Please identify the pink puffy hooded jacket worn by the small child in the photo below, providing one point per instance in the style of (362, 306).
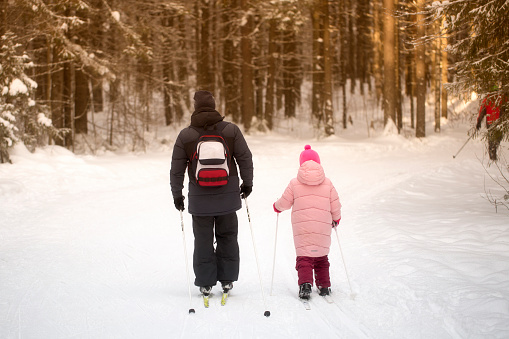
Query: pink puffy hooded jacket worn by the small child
(315, 204)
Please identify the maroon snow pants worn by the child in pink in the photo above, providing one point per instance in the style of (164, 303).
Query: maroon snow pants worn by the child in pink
(305, 267)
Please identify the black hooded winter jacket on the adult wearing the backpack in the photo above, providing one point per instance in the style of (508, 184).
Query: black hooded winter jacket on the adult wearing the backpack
(211, 201)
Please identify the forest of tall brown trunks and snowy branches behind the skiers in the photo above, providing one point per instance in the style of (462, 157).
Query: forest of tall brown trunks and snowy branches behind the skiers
(138, 63)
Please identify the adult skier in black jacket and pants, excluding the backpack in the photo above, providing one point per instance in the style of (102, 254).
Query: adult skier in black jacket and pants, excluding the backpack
(213, 207)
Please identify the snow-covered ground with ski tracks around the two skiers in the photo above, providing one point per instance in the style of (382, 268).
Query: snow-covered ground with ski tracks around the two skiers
(92, 247)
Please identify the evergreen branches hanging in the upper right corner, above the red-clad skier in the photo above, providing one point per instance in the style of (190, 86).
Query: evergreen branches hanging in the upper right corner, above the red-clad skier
(479, 31)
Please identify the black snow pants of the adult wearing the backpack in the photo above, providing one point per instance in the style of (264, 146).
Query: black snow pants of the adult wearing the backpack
(222, 262)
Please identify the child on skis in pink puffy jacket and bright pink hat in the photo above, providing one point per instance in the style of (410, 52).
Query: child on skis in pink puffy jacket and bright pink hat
(316, 207)
